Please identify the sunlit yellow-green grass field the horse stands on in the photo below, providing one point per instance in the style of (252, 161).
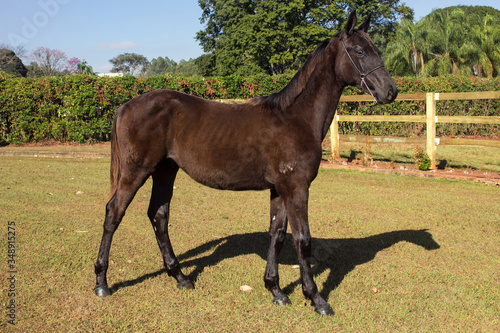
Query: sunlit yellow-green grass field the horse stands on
(391, 254)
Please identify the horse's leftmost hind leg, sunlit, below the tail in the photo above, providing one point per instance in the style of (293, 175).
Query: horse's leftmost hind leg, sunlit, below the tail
(126, 189)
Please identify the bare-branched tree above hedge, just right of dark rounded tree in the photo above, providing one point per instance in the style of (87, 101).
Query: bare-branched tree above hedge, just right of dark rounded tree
(47, 62)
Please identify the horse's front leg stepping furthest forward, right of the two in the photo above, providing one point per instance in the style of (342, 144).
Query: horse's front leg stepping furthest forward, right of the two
(296, 205)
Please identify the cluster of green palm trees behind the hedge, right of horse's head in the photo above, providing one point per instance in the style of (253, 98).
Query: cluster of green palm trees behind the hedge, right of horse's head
(461, 40)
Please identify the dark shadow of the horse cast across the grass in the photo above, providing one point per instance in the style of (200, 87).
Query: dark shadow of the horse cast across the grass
(340, 256)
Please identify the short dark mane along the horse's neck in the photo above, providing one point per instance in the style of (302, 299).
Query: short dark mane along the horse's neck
(283, 99)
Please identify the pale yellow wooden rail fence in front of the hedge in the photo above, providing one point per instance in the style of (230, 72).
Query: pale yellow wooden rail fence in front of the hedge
(430, 119)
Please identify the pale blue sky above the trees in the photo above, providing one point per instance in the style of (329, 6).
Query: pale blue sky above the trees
(99, 30)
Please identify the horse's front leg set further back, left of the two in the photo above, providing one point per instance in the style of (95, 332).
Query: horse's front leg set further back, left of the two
(277, 233)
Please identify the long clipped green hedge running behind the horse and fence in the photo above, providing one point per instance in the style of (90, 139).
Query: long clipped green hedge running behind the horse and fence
(80, 108)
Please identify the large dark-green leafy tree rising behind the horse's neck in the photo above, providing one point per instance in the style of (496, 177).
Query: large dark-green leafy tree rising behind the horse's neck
(273, 37)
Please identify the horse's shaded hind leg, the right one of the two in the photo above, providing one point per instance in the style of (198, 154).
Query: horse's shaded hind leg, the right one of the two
(158, 212)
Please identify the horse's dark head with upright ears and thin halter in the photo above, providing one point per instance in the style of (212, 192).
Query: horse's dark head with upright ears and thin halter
(359, 64)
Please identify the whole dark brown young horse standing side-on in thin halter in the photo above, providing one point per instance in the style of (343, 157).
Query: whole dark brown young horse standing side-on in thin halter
(270, 143)
